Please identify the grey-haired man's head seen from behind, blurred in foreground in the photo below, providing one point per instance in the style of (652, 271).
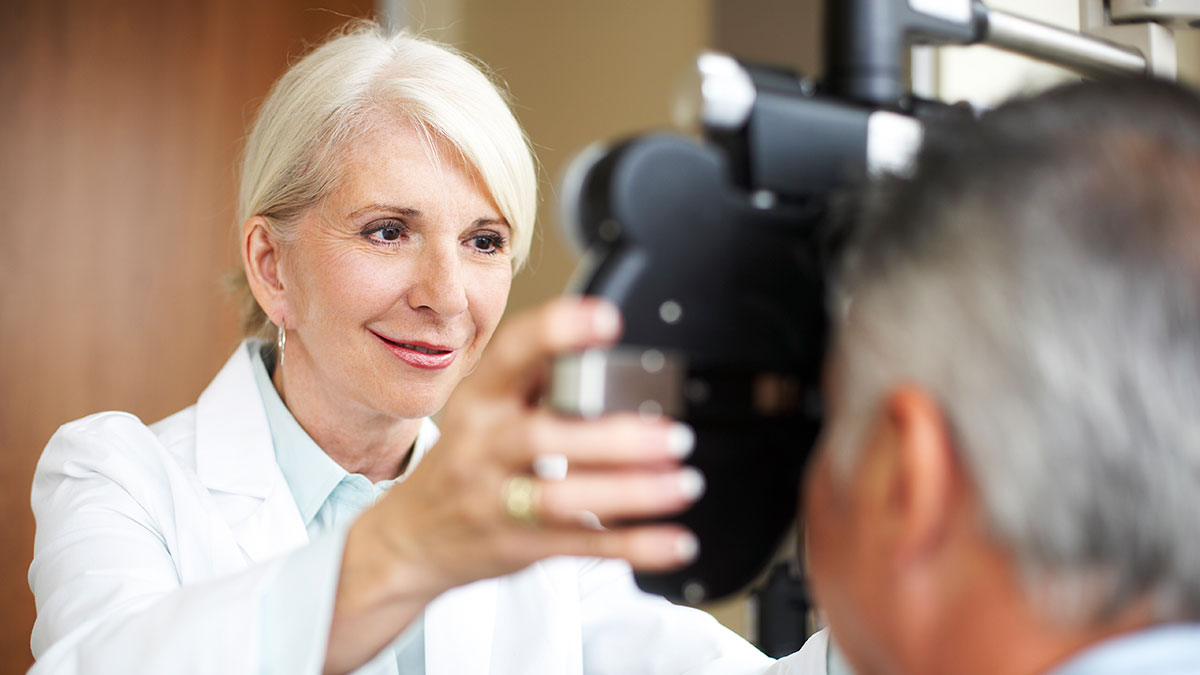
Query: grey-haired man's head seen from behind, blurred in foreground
(1015, 390)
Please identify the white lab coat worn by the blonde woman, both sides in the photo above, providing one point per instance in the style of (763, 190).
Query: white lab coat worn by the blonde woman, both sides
(155, 543)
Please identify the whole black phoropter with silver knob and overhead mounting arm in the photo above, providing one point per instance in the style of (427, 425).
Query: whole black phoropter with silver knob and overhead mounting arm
(713, 252)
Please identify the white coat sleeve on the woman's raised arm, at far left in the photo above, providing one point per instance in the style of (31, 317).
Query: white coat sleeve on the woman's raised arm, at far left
(109, 563)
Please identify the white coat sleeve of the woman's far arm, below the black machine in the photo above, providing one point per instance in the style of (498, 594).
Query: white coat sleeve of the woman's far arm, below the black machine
(627, 631)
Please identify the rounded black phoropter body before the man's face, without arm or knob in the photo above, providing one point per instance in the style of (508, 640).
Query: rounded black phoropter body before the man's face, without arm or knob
(745, 322)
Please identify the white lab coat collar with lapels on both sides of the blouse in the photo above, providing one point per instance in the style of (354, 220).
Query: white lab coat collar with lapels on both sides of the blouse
(236, 461)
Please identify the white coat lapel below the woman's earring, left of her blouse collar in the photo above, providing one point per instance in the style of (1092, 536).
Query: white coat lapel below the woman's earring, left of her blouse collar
(236, 461)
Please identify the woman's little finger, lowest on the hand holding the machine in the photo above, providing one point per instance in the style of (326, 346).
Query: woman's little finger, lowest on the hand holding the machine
(650, 548)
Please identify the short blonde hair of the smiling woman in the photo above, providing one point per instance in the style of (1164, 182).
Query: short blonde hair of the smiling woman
(333, 97)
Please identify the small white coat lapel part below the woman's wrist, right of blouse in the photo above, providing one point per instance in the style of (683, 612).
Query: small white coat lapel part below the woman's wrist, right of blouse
(459, 630)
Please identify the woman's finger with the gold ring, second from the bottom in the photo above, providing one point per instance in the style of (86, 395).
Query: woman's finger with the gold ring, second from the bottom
(619, 495)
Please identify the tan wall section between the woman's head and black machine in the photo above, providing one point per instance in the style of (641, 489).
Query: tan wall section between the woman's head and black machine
(581, 73)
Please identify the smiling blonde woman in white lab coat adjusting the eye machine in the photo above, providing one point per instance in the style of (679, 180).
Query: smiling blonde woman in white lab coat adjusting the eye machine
(388, 195)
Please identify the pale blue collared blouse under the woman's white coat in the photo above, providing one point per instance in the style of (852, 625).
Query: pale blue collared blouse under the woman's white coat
(329, 500)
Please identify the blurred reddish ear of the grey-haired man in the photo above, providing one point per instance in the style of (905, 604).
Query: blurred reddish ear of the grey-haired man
(926, 482)
